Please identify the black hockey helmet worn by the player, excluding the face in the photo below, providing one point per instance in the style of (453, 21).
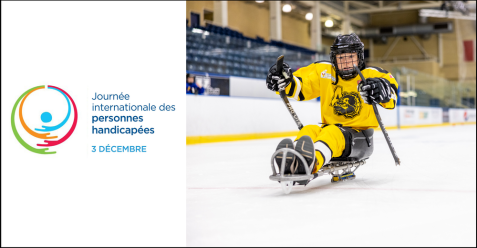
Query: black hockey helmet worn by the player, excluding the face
(348, 43)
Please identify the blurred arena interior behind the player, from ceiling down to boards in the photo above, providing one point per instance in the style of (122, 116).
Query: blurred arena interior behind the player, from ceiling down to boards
(429, 46)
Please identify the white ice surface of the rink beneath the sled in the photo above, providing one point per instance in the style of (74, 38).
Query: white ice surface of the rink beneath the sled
(430, 200)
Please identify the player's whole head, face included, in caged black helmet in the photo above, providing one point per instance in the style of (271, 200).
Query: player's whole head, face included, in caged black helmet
(350, 51)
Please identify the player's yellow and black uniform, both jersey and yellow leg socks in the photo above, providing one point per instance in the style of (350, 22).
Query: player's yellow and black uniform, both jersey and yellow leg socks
(341, 103)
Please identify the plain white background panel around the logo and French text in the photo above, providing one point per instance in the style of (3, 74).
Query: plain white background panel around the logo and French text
(75, 197)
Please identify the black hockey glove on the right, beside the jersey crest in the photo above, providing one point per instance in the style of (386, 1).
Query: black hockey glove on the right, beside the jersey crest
(375, 90)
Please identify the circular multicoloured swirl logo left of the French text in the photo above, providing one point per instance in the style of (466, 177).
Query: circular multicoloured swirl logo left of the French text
(45, 131)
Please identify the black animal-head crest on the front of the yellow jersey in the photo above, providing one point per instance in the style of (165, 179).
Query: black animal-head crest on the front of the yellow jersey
(347, 104)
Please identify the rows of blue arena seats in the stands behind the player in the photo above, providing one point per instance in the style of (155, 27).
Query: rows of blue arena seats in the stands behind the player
(224, 51)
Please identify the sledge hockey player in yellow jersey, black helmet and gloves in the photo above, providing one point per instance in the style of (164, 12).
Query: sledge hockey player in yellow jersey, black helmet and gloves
(346, 109)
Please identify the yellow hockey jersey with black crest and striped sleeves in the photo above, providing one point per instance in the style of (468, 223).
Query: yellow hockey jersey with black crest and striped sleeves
(340, 100)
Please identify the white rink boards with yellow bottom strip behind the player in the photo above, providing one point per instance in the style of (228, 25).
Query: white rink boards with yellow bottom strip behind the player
(224, 118)
